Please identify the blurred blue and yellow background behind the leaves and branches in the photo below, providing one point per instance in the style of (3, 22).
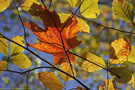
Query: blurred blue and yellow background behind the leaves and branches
(10, 26)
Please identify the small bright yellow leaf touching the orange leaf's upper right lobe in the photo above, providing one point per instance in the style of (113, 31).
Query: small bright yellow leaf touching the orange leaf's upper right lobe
(84, 26)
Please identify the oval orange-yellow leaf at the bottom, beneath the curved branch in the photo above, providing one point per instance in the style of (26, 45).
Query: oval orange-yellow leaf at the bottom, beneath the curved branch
(50, 80)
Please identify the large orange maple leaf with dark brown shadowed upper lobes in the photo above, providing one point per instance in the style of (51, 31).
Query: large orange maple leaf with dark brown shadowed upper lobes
(50, 37)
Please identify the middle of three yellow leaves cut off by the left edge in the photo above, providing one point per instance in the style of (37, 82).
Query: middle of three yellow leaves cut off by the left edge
(4, 46)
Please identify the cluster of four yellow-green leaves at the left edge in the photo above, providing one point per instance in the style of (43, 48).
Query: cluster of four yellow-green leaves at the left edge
(19, 59)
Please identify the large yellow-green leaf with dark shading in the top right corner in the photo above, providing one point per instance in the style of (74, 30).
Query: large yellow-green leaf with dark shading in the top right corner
(123, 9)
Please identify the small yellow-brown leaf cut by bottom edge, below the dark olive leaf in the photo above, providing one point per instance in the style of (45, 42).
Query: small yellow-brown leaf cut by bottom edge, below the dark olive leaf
(110, 84)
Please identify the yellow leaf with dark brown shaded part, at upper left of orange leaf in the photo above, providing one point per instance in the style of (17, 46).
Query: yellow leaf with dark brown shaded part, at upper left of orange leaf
(33, 7)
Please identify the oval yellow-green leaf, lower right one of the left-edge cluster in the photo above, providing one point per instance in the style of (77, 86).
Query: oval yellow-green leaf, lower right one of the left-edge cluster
(21, 60)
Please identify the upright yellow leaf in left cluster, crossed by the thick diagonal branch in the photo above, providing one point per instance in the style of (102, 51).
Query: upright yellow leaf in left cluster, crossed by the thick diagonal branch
(16, 49)
